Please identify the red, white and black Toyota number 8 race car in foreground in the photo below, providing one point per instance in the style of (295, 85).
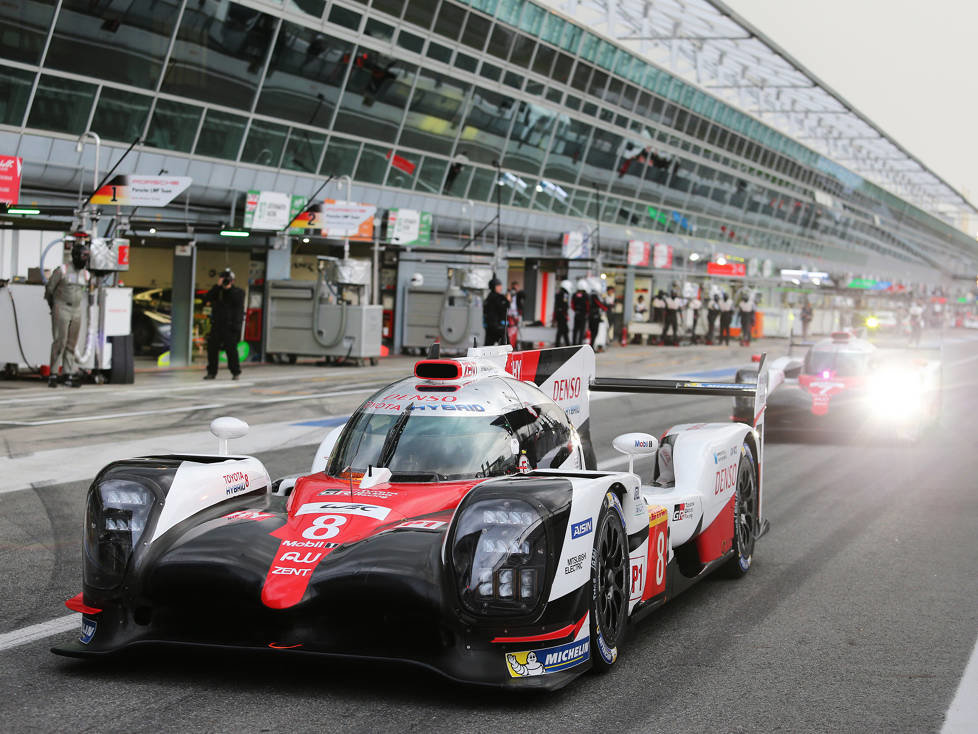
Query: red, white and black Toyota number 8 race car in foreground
(456, 521)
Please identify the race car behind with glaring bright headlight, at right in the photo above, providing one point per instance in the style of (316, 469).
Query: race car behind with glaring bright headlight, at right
(848, 385)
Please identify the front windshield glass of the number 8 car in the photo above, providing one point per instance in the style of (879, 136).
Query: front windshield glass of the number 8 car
(427, 448)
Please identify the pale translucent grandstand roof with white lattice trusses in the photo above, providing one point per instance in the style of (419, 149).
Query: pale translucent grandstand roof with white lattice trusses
(707, 43)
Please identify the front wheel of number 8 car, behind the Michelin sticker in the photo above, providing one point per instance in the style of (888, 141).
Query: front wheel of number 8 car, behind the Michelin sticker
(609, 585)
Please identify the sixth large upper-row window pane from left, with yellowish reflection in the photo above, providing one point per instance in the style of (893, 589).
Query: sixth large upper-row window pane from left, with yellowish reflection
(435, 111)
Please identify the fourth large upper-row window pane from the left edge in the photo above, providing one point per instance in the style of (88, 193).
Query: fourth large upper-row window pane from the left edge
(304, 76)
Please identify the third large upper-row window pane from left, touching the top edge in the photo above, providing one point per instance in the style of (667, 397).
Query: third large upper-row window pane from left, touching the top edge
(219, 62)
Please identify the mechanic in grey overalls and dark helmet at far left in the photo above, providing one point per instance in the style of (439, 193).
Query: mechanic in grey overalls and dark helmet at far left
(66, 292)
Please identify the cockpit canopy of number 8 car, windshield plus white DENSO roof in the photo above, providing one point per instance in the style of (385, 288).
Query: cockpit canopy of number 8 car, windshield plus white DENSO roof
(432, 433)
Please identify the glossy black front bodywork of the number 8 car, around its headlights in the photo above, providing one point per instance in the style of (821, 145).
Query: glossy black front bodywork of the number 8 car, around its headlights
(388, 596)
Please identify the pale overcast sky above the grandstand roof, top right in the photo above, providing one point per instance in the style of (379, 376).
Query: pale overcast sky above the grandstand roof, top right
(909, 66)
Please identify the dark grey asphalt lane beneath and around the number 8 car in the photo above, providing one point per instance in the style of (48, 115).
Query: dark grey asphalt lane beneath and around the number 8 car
(859, 614)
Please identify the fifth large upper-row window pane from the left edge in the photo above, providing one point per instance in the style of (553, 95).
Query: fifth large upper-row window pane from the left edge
(375, 97)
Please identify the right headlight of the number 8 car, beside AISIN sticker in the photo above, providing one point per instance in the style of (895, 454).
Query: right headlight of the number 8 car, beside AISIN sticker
(500, 556)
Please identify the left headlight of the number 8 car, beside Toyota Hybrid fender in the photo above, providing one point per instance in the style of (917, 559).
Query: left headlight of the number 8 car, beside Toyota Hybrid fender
(115, 520)
